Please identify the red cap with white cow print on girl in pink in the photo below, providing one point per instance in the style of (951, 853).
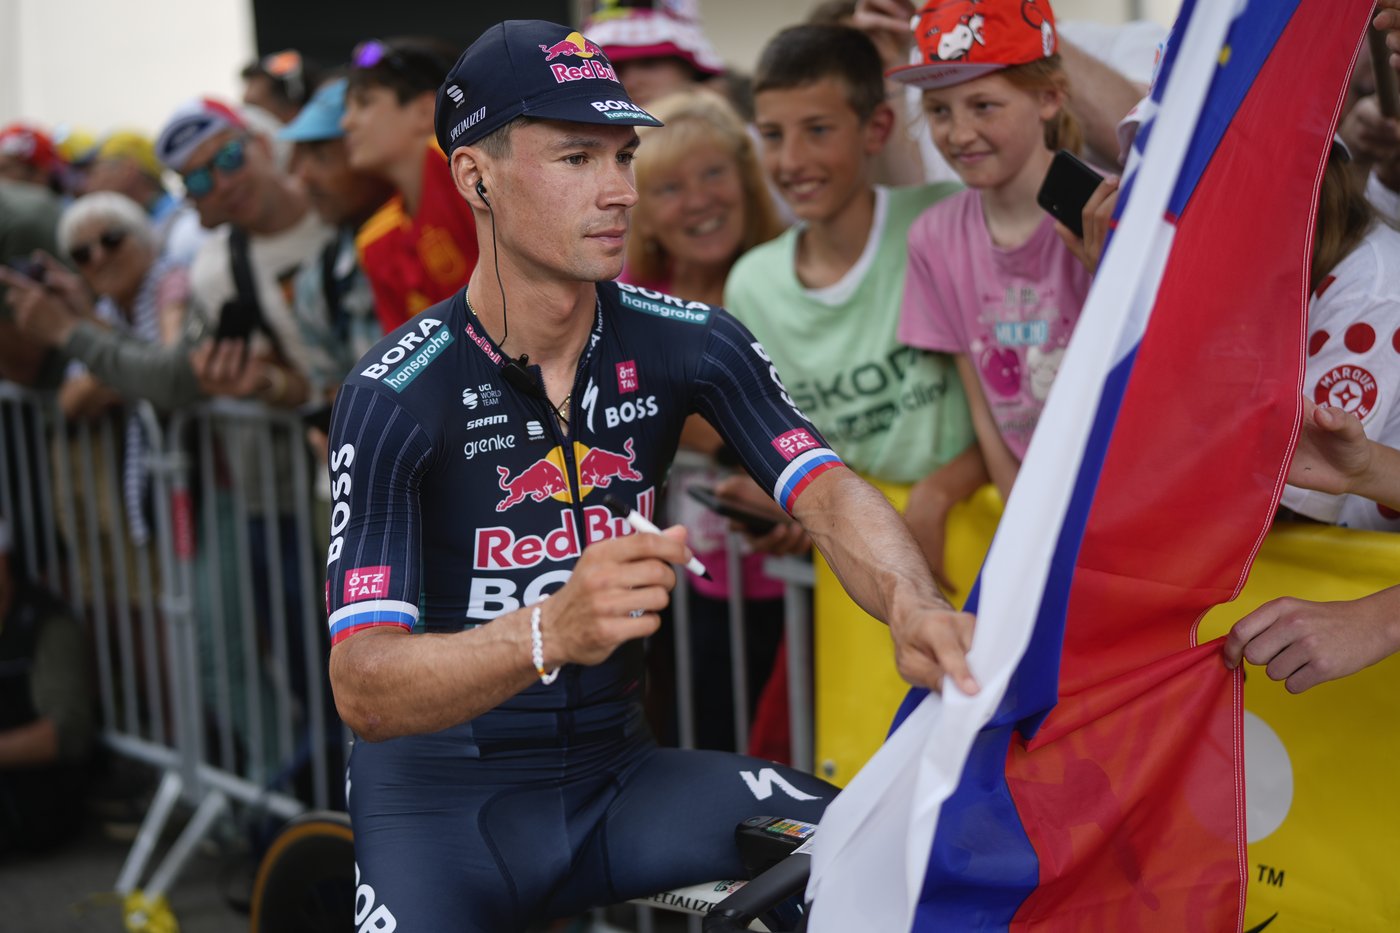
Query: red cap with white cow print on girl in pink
(961, 40)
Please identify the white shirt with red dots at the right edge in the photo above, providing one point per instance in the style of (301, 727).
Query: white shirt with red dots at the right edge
(1354, 365)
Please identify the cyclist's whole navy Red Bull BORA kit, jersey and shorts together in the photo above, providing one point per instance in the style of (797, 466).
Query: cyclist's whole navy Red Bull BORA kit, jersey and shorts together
(458, 498)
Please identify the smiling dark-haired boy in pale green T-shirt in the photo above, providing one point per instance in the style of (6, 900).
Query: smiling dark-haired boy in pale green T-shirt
(824, 299)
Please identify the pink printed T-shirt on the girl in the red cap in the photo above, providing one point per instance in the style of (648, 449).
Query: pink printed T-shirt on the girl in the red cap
(1011, 312)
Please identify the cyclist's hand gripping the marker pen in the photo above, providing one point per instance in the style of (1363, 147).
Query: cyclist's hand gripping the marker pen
(615, 595)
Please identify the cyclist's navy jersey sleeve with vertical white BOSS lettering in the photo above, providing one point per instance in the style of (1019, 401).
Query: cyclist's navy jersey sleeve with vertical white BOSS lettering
(379, 453)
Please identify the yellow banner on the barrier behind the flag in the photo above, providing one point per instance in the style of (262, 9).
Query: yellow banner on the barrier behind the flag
(1324, 767)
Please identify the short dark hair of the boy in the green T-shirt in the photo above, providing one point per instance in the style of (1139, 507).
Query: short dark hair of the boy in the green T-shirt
(807, 54)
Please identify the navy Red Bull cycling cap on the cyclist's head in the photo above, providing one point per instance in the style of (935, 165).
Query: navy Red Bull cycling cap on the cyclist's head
(530, 68)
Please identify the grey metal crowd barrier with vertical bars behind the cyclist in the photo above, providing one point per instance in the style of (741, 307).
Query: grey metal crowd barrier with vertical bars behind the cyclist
(206, 617)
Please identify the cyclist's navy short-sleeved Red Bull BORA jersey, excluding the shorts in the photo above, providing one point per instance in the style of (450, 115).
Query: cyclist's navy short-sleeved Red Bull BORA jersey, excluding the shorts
(458, 498)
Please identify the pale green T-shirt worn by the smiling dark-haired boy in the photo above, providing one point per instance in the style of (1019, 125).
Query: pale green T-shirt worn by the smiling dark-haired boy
(892, 413)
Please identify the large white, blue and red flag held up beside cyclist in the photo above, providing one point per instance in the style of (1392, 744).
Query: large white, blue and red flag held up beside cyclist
(1097, 782)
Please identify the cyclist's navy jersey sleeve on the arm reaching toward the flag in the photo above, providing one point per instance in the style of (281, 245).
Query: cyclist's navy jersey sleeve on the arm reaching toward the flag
(741, 394)
